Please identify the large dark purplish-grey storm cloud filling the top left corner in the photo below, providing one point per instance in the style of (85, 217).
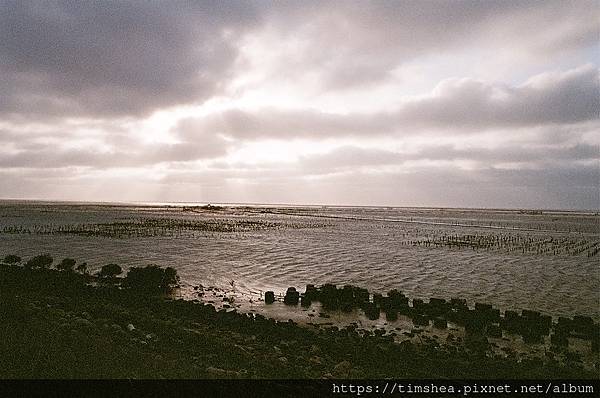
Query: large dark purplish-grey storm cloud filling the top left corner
(115, 58)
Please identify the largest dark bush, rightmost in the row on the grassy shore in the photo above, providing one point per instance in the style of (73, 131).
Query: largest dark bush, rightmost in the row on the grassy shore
(151, 279)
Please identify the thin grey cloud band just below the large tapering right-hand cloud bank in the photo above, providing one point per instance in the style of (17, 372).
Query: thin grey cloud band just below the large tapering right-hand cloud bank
(349, 159)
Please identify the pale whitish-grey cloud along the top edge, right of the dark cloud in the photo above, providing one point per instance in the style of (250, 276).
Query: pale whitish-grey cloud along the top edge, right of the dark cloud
(362, 42)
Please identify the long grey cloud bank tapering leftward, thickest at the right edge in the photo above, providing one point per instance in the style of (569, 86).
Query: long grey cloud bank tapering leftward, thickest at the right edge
(460, 104)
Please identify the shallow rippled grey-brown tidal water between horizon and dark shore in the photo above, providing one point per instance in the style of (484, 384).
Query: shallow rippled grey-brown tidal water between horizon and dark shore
(514, 260)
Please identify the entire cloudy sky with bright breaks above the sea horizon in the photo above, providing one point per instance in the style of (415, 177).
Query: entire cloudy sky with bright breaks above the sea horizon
(488, 104)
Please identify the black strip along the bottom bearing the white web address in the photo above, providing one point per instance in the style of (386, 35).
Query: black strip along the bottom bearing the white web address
(296, 388)
